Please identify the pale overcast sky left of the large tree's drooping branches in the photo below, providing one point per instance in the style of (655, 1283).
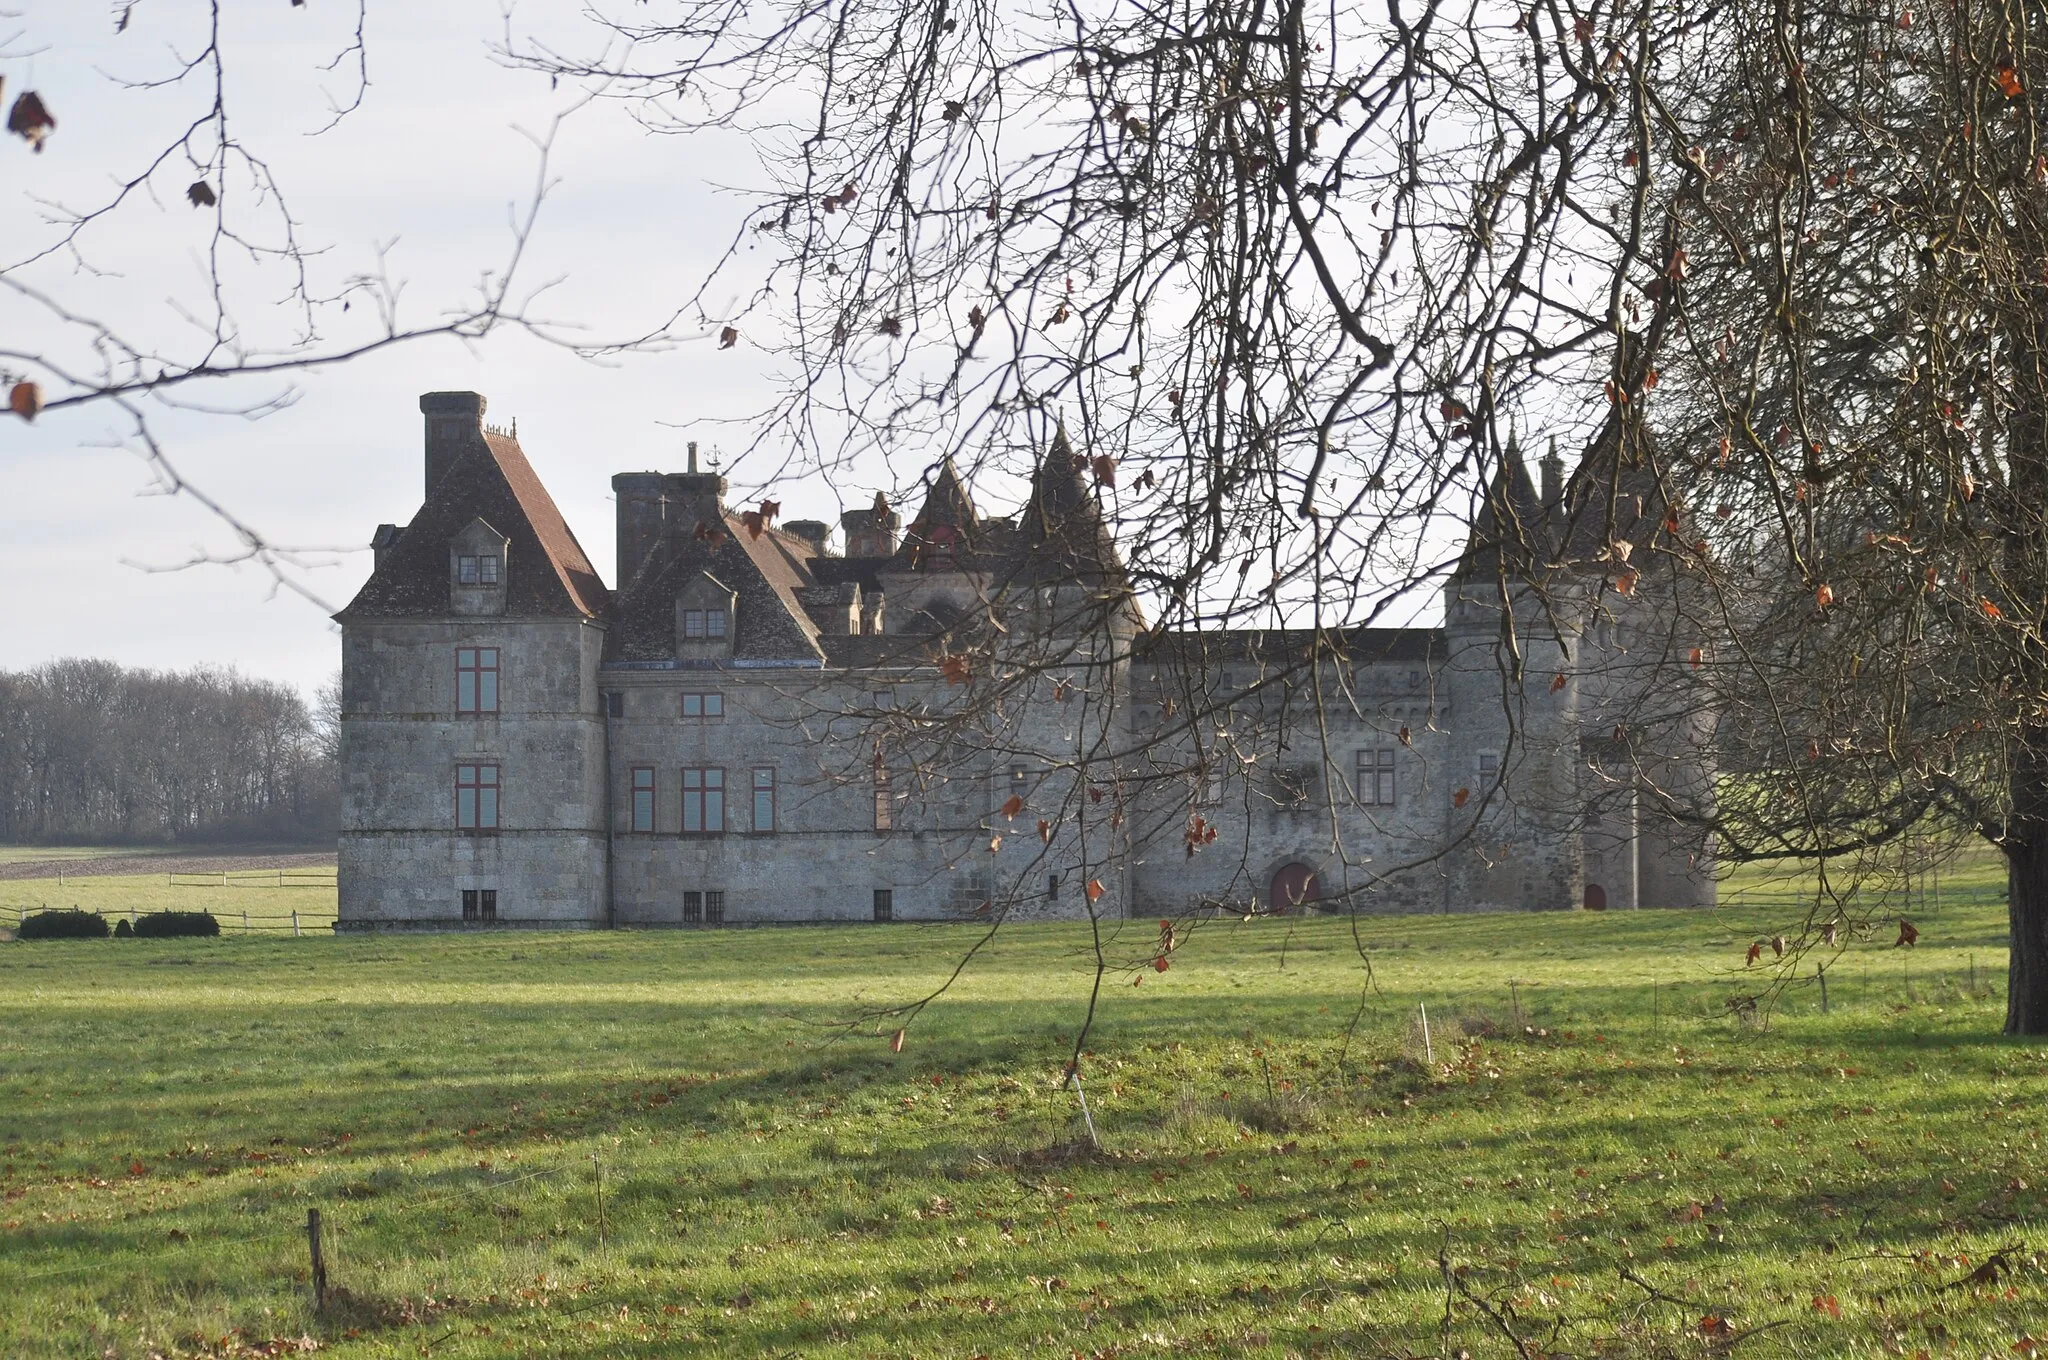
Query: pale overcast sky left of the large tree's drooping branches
(431, 167)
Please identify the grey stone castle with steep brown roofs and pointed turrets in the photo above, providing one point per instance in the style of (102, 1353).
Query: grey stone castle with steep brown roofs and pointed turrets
(968, 716)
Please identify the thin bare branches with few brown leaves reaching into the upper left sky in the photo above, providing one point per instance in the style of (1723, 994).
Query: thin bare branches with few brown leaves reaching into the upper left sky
(267, 304)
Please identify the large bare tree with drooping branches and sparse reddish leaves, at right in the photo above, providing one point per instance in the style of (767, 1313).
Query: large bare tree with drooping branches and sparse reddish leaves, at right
(1291, 278)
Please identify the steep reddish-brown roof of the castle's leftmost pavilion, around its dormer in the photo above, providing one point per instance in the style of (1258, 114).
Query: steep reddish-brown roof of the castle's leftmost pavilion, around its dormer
(548, 572)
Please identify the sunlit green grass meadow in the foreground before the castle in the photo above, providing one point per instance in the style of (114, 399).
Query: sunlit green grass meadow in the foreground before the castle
(1605, 1173)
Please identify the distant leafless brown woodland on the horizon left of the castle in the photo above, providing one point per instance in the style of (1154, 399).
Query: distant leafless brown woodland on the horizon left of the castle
(97, 753)
